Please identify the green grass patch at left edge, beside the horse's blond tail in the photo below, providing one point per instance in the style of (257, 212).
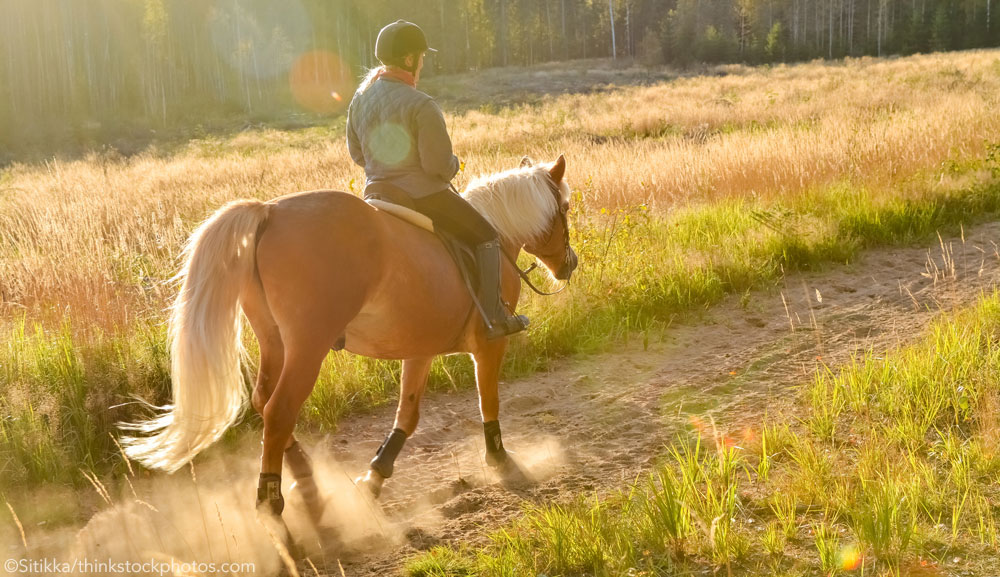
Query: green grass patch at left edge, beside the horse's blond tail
(63, 396)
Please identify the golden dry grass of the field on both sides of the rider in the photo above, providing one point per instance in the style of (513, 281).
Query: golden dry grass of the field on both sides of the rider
(97, 237)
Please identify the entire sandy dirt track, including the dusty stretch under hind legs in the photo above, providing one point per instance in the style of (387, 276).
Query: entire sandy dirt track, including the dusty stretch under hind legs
(590, 424)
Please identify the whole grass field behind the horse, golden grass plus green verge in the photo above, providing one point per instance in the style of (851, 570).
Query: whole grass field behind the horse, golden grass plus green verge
(683, 191)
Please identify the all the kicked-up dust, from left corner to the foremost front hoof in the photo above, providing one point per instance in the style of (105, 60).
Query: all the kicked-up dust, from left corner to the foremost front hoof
(204, 518)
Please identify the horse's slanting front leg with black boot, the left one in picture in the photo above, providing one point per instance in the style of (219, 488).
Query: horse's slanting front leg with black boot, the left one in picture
(411, 390)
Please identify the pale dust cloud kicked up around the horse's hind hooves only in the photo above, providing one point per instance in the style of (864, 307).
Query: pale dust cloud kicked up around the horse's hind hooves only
(205, 518)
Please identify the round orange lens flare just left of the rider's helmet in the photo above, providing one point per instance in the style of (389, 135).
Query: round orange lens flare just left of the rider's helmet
(317, 79)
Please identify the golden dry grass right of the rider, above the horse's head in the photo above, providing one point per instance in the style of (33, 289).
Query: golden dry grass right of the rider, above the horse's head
(759, 132)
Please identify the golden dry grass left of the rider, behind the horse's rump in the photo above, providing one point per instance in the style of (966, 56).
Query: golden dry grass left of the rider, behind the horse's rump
(98, 238)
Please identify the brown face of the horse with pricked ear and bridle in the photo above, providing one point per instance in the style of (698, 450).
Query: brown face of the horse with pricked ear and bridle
(553, 248)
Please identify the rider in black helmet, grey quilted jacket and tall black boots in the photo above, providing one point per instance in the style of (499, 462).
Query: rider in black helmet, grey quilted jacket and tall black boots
(398, 135)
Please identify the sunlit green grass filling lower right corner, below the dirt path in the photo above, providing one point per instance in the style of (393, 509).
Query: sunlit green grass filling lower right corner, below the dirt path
(879, 495)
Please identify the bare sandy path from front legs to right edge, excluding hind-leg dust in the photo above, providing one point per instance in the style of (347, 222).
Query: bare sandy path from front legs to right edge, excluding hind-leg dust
(595, 423)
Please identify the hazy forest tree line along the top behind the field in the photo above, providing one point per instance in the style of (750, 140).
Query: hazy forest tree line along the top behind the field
(75, 67)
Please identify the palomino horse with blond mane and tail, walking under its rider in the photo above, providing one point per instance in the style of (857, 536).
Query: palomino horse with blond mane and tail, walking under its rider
(319, 270)
